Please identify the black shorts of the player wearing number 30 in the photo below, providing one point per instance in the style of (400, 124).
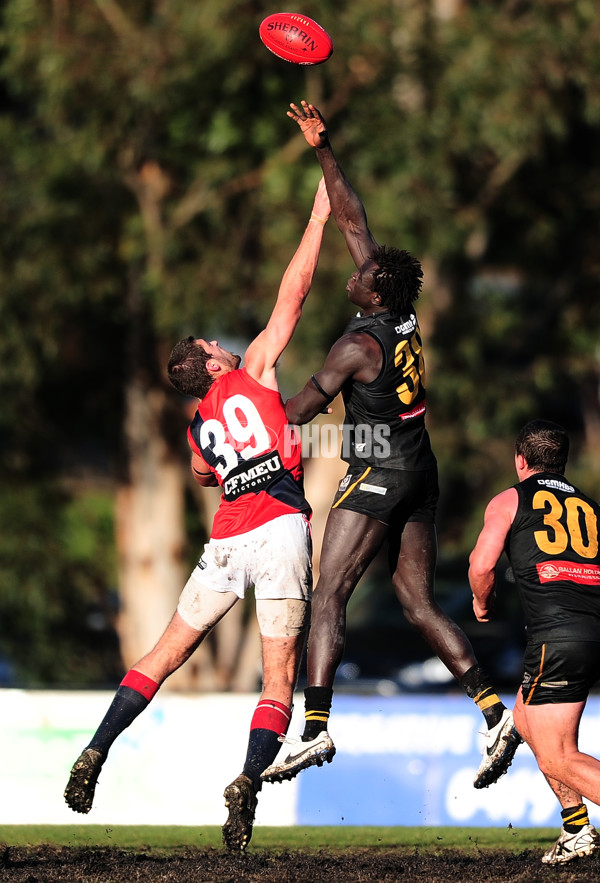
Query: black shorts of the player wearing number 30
(559, 671)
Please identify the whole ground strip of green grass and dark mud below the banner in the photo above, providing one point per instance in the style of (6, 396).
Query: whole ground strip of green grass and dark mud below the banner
(152, 854)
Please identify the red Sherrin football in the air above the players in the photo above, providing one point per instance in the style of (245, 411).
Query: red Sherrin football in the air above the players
(295, 38)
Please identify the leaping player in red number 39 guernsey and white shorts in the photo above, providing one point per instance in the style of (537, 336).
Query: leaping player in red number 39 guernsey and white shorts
(240, 440)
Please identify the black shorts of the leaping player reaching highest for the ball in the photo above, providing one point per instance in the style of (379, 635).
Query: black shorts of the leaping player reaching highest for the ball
(392, 496)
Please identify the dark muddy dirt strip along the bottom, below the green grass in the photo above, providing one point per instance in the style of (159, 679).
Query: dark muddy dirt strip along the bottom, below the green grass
(45, 864)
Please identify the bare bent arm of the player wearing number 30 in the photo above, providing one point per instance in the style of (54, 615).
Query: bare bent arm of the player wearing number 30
(498, 518)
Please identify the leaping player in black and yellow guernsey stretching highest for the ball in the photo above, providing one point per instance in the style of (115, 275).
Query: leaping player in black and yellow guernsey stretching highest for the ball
(390, 491)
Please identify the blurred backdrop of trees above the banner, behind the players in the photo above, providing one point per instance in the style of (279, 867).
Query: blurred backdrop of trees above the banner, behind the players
(154, 187)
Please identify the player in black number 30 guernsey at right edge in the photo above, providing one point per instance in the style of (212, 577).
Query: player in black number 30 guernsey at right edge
(549, 531)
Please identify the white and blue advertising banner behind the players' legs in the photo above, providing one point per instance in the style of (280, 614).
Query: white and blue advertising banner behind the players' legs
(401, 760)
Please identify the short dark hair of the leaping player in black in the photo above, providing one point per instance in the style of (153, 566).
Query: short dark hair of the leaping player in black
(397, 279)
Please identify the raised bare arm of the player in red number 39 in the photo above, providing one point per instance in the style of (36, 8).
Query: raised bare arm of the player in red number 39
(264, 351)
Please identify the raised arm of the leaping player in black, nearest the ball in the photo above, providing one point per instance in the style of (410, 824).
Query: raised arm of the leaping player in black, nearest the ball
(346, 207)
